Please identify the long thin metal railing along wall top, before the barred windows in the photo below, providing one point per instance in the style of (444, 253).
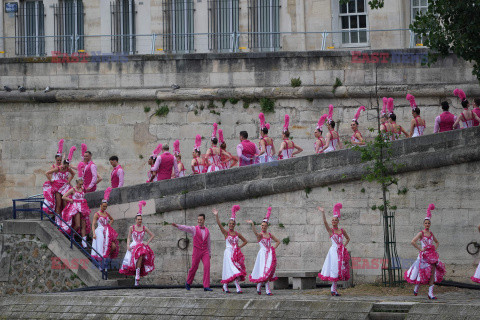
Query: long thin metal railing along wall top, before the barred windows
(160, 43)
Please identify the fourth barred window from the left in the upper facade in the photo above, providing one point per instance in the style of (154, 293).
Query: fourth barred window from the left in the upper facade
(178, 26)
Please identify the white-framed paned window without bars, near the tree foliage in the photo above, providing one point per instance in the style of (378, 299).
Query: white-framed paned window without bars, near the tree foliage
(353, 19)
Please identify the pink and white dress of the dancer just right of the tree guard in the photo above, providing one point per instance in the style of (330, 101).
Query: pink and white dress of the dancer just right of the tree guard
(421, 270)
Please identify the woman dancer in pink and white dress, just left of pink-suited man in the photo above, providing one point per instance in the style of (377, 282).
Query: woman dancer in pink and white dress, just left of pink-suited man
(139, 259)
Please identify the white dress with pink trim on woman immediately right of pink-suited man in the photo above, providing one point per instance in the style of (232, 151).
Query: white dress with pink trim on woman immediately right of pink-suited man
(233, 261)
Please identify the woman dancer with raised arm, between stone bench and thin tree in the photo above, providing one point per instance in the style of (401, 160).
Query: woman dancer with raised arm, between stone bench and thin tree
(336, 266)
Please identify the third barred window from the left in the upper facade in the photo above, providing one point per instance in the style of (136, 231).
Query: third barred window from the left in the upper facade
(123, 26)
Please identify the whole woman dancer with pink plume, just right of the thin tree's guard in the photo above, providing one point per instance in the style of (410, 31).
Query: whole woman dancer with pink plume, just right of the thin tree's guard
(428, 269)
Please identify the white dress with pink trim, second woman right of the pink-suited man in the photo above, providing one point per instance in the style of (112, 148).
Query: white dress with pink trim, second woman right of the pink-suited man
(266, 262)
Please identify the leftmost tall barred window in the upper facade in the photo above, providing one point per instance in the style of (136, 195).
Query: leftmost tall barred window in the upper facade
(30, 29)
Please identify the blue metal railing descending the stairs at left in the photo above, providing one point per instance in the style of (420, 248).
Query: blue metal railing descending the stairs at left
(101, 264)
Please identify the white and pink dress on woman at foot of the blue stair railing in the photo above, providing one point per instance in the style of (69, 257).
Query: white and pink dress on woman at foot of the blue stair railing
(105, 236)
